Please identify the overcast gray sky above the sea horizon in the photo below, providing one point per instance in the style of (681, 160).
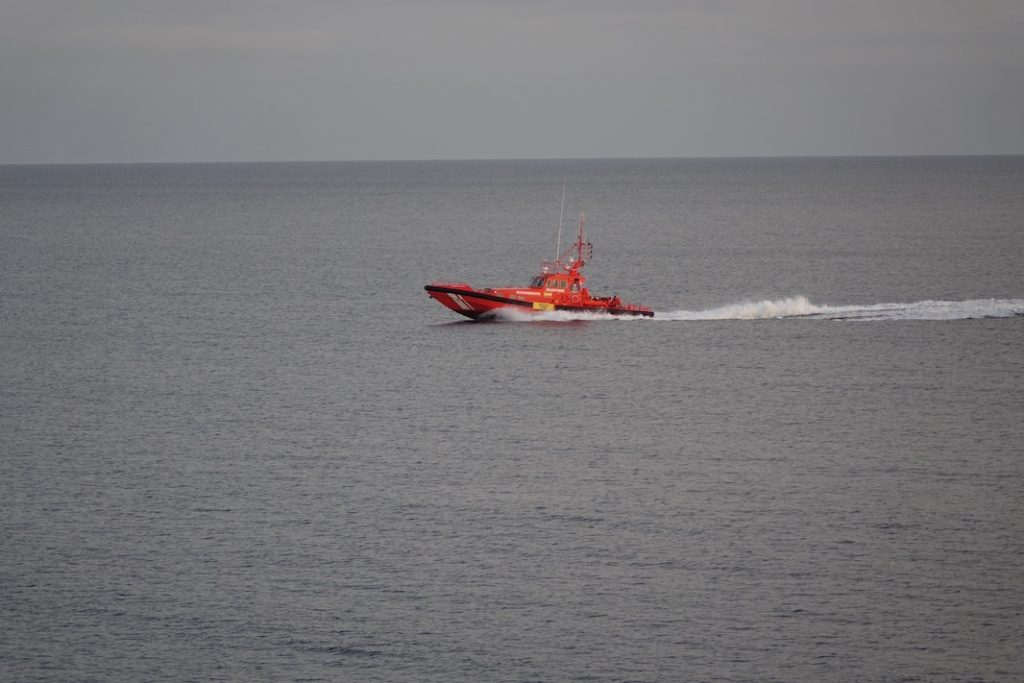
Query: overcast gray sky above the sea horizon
(209, 80)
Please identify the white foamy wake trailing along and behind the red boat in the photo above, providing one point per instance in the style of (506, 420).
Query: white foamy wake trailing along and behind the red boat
(801, 308)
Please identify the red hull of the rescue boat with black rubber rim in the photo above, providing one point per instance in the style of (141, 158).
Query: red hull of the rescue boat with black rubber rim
(475, 304)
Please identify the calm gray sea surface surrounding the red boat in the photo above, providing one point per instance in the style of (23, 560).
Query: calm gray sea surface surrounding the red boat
(239, 443)
